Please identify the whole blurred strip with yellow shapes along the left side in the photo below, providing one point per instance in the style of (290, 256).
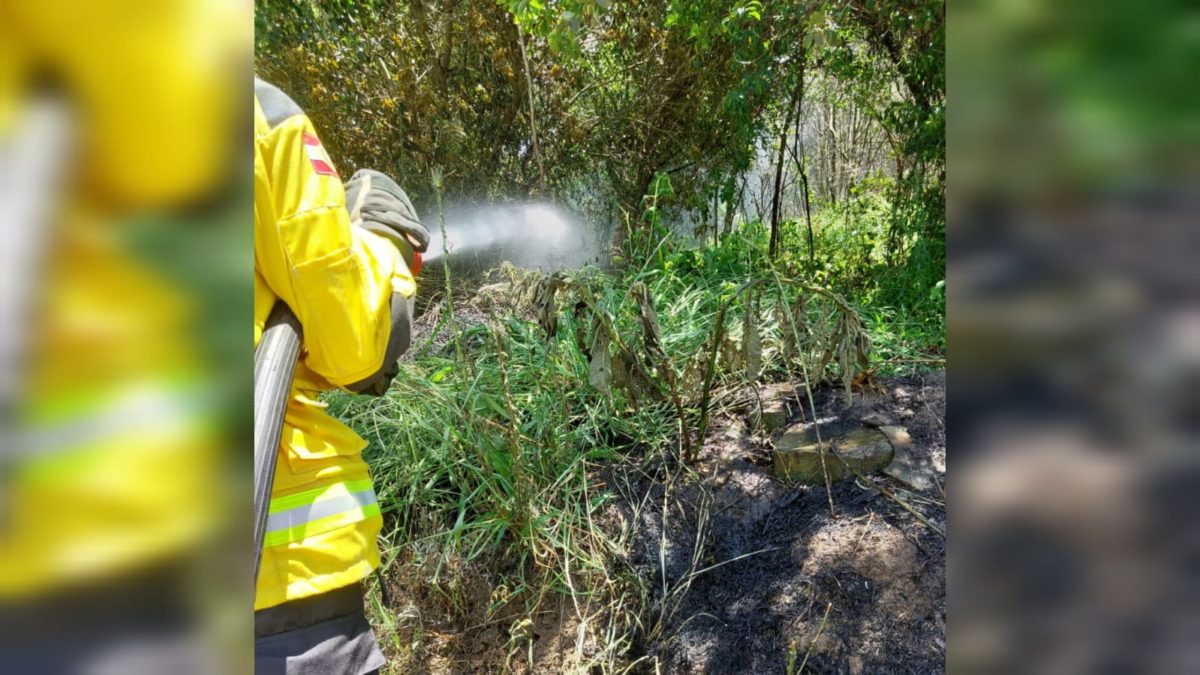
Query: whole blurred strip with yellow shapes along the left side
(125, 206)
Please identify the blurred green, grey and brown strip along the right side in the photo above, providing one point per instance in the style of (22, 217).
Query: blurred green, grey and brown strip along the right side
(1075, 337)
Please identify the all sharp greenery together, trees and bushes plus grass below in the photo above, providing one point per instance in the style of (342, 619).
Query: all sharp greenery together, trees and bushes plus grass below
(772, 180)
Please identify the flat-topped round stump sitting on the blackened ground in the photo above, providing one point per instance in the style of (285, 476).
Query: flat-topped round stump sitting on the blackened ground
(799, 456)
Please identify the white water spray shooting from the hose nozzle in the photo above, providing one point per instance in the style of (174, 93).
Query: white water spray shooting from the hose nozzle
(535, 236)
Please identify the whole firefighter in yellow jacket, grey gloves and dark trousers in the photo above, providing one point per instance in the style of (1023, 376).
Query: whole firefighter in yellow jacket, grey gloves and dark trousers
(347, 273)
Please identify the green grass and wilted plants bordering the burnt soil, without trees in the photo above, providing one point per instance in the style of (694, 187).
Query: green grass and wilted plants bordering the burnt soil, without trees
(488, 456)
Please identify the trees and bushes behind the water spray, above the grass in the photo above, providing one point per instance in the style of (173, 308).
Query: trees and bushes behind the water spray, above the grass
(589, 103)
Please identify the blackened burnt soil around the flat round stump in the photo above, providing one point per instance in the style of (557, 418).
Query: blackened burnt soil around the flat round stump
(745, 568)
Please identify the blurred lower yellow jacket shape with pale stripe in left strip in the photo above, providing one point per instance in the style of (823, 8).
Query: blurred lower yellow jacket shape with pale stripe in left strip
(106, 449)
